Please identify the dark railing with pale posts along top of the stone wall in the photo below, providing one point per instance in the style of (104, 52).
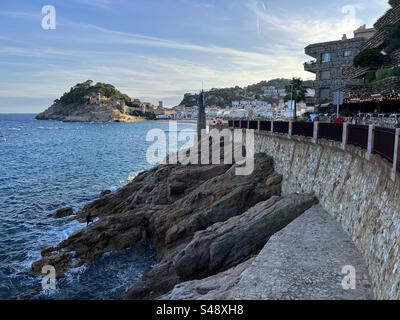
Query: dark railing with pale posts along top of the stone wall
(376, 140)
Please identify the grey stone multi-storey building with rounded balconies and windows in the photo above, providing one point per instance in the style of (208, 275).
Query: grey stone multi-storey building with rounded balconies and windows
(331, 60)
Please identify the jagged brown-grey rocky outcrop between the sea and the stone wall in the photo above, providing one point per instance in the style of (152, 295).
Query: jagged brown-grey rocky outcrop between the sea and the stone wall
(202, 220)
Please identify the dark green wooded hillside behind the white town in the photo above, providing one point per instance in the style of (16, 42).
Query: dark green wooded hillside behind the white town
(224, 97)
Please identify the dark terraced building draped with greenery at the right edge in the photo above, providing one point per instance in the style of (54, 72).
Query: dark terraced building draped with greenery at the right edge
(382, 81)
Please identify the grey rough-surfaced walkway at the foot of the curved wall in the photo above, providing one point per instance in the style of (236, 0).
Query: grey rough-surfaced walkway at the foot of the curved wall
(305, 261)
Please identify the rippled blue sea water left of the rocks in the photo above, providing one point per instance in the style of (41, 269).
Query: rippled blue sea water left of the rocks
(46, 165)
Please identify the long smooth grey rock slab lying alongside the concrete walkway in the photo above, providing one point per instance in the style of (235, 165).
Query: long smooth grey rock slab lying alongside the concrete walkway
(227, 244)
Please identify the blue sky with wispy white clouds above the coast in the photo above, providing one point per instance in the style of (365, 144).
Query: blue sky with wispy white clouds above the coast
(160, 49)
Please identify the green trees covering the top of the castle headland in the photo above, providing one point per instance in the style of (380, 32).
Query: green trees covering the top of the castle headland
(79, 93)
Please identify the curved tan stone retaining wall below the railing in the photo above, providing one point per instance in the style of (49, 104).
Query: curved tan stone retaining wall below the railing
(356, 192)
